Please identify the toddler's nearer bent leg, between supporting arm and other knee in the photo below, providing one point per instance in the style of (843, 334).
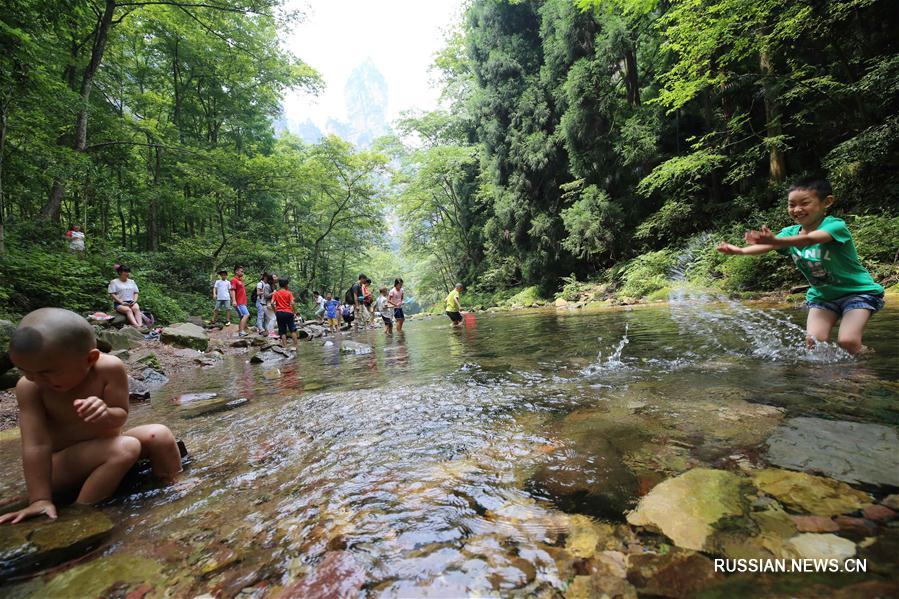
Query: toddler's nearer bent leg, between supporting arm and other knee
(99, 463)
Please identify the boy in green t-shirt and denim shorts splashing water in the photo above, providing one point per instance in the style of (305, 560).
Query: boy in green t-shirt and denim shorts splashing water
(822, 248)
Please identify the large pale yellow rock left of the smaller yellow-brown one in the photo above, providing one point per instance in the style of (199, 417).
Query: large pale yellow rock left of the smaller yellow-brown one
(687, 507)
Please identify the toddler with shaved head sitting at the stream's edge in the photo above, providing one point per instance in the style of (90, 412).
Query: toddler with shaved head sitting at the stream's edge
(73, 404)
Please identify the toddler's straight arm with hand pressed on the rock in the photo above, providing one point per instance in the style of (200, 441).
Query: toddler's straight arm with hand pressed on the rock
(37, 455)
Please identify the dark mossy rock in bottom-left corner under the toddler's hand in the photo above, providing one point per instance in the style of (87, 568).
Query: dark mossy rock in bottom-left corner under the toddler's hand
(40, 543)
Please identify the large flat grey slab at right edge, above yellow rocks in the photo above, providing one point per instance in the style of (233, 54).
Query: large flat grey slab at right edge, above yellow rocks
(852, 452)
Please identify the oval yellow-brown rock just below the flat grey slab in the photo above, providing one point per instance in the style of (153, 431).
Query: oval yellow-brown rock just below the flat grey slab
(810, 494)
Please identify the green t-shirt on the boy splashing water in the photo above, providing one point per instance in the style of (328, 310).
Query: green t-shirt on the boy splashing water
(832, 269)
